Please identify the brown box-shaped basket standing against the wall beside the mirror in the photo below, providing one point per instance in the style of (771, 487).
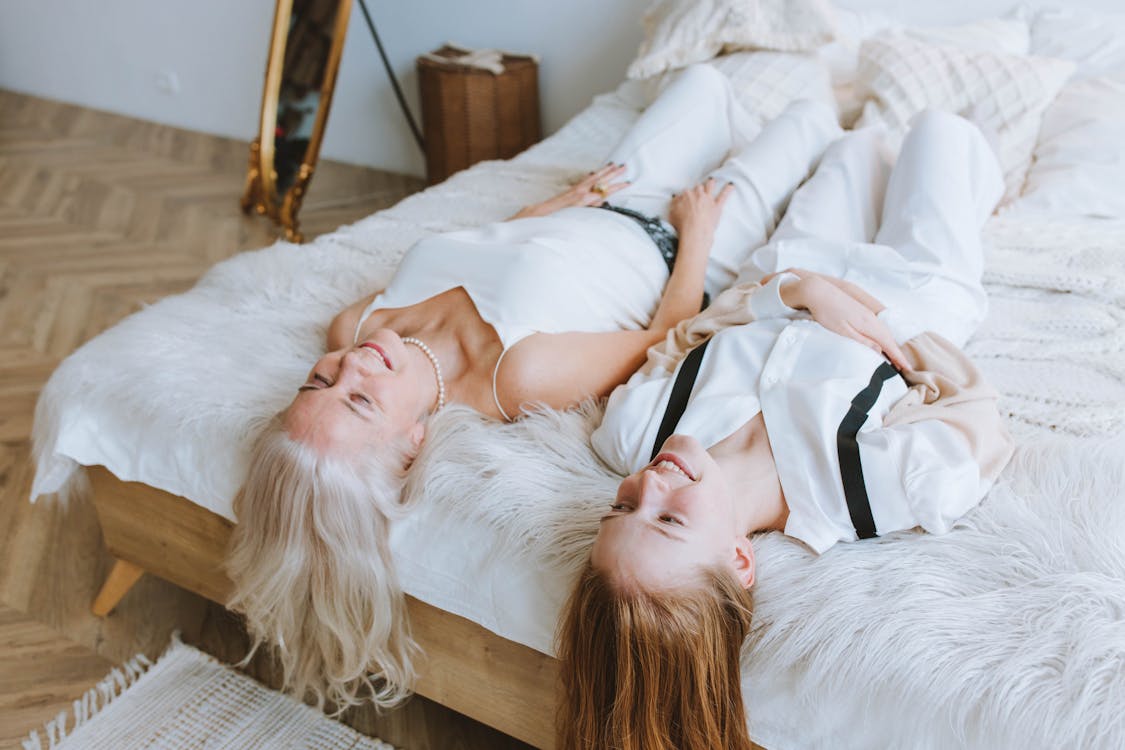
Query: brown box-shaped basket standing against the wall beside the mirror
(471, 114)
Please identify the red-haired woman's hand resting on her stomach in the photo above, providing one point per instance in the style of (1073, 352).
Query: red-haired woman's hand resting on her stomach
(845, 310)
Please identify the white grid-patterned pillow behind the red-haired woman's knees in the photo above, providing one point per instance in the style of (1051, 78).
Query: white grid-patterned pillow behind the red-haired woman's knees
(1006, 95)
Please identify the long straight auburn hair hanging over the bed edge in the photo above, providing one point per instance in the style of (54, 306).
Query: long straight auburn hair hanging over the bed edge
(653, 671)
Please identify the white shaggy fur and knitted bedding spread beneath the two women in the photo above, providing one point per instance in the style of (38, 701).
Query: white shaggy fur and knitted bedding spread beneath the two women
(989, 637)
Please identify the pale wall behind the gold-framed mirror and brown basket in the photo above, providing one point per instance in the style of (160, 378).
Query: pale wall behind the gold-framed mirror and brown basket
(111, 55)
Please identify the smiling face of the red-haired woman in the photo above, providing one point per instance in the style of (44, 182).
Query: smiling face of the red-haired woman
(672, 520)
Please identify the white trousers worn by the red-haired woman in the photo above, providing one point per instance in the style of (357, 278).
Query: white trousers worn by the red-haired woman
(911, 236)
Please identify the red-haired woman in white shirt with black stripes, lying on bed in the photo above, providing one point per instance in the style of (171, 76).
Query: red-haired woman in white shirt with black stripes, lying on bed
(831, 402)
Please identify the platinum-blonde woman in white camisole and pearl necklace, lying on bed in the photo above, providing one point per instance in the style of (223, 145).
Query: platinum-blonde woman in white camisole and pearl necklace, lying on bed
(553, 306)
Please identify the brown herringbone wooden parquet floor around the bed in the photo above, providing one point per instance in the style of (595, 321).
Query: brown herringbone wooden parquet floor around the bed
(101, 215)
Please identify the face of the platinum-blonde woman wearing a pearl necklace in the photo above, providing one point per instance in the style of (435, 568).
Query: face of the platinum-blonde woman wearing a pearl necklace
(359, 396)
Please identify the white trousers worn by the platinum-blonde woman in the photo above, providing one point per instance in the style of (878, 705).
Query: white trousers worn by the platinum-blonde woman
(698, 129)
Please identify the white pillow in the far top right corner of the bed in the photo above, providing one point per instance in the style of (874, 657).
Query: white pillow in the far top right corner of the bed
(1095, 41)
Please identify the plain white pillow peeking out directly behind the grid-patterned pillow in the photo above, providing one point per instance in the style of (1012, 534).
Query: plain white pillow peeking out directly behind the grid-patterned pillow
(1007, 35)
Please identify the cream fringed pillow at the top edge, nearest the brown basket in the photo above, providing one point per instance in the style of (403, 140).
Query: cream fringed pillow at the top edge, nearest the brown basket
(679, 33)
